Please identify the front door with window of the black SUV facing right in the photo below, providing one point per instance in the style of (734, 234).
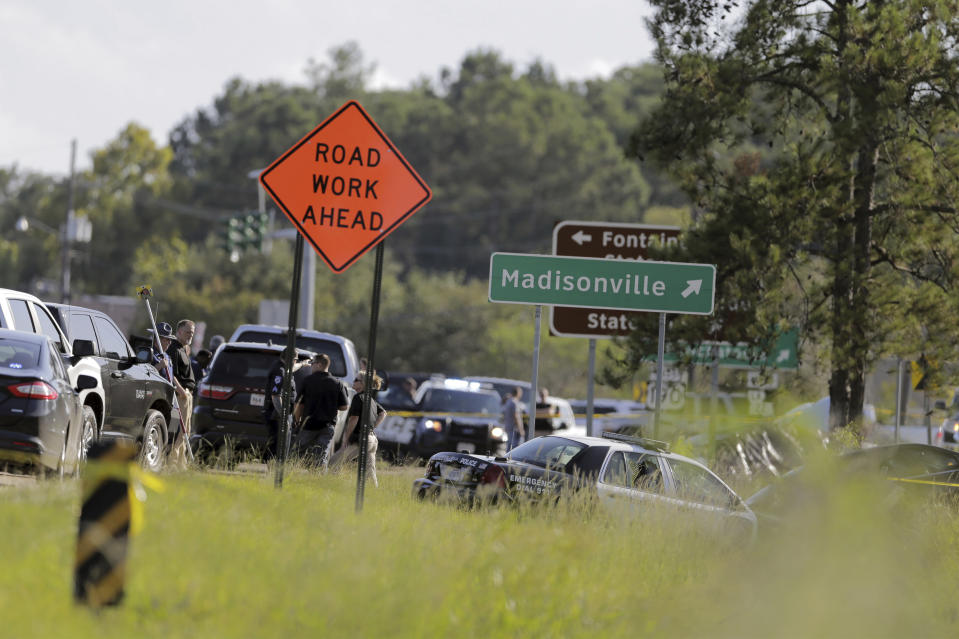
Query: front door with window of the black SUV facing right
(122, 376)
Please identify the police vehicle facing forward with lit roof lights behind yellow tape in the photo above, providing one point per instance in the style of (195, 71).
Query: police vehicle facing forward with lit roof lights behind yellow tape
(445, 415)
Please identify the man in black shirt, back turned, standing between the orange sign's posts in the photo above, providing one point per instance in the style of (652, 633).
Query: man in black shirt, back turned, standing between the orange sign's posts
(318, 406)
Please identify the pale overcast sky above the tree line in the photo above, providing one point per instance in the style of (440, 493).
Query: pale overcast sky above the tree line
(84, 70)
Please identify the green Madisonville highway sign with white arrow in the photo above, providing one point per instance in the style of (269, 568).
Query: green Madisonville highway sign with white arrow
(660, 287)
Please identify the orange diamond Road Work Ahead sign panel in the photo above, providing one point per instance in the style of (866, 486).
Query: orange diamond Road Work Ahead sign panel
(345, 186)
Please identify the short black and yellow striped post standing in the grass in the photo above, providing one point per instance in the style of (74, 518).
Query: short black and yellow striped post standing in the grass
(100, 567)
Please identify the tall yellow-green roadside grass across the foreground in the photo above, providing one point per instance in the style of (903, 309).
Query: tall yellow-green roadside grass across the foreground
(228, 555)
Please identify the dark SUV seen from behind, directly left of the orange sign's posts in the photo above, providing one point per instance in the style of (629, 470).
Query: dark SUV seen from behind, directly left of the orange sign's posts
(229, 405)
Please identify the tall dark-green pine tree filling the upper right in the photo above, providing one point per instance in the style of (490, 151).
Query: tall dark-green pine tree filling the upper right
(846, 221)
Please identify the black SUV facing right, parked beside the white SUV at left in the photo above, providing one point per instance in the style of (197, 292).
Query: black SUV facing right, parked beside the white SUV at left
(138, 402)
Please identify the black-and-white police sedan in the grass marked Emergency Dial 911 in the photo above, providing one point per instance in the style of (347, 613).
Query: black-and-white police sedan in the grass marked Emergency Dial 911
(618, 469)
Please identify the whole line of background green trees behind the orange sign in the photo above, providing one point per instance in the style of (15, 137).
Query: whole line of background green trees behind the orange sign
(506, 151)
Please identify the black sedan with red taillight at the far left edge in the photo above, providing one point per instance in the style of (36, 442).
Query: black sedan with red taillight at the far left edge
(41, 417)
